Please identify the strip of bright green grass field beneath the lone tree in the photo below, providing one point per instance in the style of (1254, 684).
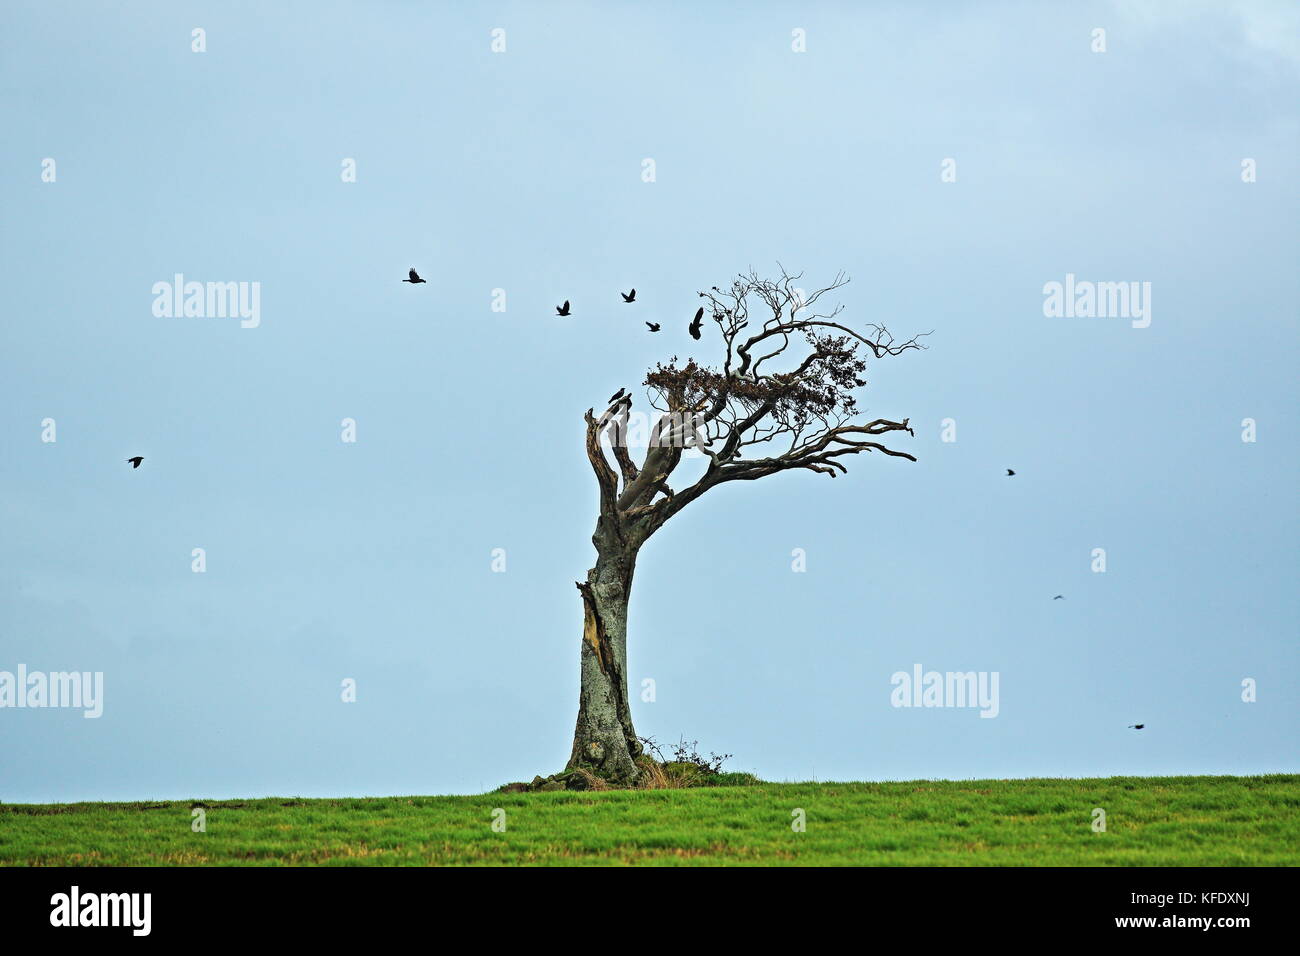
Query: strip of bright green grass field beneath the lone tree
(1212, 821)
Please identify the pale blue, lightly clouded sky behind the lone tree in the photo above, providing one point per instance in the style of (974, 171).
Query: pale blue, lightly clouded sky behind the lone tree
(952, 159)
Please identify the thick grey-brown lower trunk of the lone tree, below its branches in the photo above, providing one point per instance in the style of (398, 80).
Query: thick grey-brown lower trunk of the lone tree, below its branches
(605, 741)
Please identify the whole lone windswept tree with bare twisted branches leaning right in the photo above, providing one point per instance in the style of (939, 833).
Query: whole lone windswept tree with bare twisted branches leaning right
(747, 423)
